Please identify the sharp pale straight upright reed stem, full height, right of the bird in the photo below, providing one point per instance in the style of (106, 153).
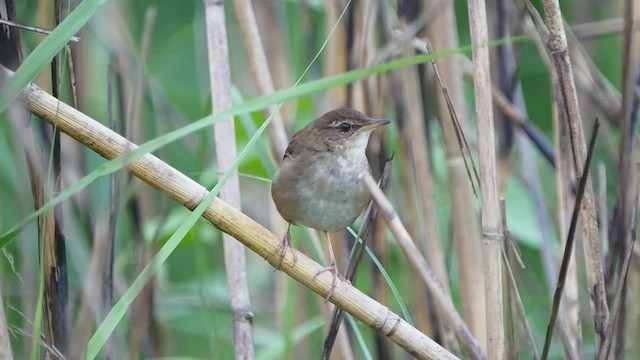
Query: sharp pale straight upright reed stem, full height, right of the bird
(492, 232)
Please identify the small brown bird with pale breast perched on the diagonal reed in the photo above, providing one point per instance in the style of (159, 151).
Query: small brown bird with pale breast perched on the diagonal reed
(318, 183)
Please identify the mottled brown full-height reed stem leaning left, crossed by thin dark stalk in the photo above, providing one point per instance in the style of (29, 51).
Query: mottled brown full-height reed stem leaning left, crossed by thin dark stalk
(557, 46)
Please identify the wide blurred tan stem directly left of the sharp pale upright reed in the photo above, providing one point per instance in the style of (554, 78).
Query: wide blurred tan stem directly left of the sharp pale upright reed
(464, 217)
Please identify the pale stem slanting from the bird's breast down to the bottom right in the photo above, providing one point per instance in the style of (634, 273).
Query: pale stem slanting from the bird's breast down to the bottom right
(416, 259)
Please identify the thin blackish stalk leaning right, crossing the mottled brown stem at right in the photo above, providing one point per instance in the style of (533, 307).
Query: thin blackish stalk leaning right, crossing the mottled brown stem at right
(566, 257)
